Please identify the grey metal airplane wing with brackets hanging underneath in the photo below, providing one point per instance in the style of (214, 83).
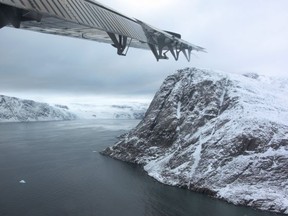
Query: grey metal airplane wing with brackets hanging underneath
(91, 20)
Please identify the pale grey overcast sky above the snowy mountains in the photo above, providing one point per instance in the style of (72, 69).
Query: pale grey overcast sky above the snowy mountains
(240, 36)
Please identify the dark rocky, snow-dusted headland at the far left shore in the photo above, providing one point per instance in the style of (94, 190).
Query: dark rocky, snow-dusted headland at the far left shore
(14, 109)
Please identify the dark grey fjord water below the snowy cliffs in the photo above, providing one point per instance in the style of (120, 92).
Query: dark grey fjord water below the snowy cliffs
(66, 176)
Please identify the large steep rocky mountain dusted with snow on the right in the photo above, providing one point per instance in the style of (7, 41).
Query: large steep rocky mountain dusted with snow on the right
(222, 134)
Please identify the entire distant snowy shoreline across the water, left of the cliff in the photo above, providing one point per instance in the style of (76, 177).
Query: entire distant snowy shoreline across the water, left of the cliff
(13, 109)
